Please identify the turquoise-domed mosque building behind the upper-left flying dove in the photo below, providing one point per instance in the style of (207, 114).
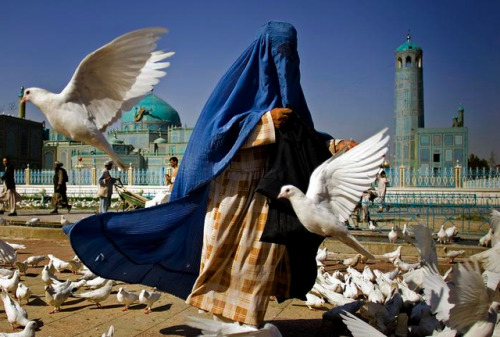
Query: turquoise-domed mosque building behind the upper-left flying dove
(149, 134)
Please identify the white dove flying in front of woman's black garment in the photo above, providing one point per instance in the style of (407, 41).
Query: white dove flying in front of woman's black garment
(335, 188)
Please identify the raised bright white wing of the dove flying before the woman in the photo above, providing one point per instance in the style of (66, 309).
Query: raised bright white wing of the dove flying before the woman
(339, 182)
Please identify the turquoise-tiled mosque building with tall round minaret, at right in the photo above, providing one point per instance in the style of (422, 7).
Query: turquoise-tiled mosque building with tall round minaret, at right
(415, 146)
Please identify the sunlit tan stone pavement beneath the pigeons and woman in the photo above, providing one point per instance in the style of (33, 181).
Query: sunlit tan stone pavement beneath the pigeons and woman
(81, 318)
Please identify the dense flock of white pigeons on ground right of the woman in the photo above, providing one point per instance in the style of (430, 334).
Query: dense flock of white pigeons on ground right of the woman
(414, 299)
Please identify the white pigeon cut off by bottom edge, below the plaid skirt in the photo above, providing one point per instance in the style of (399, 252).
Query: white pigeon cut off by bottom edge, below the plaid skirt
(210, 327)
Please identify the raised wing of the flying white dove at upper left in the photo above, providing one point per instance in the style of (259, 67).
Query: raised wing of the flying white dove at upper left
(117, 75)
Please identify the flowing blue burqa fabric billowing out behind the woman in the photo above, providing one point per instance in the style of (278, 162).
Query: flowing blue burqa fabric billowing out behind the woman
(161, 246)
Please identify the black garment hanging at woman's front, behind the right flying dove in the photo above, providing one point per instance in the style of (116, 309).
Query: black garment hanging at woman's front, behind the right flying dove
(297, 152)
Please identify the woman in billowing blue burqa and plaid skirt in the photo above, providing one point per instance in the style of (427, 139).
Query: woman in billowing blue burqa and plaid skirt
(208, 244)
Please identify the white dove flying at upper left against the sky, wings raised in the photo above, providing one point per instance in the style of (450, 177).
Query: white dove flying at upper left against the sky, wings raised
(111, 79)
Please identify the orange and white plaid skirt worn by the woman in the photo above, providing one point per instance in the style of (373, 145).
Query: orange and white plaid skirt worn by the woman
(238, 273)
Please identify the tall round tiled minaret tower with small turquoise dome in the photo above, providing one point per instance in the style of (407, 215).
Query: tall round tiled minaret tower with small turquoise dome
(408, 102)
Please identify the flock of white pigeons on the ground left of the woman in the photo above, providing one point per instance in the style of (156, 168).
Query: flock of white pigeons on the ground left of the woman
(16, 294)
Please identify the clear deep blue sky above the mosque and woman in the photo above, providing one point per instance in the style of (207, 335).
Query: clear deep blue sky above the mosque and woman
(346, 50)
